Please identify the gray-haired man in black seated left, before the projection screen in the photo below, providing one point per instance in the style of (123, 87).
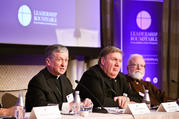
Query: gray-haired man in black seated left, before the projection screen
(50, 86)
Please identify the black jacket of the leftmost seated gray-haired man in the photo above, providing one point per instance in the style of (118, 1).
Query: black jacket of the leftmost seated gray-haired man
(42, 90)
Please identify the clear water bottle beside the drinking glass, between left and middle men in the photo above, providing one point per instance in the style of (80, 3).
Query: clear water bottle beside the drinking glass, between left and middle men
(77, 103)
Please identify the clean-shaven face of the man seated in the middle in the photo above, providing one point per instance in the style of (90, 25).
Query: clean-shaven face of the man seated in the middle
(111, 64)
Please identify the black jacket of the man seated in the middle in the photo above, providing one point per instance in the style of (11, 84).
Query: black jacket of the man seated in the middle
(99, 85)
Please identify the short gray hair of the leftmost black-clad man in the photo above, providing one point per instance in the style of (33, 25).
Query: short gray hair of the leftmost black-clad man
(49, 51)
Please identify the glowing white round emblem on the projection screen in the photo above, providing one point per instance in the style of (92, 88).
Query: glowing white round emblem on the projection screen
(24, 15)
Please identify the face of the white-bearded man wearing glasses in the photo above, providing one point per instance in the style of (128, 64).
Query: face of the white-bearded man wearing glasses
(136, 67)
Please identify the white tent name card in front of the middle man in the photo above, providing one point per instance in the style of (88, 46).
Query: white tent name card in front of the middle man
(139, 108)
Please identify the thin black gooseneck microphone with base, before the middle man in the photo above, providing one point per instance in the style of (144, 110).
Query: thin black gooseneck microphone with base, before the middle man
(97, 109)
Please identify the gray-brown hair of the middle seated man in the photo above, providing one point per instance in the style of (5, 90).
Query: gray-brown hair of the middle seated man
(109, 49)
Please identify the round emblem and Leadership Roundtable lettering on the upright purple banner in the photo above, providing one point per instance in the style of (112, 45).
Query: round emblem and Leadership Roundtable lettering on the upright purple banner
(144, 36)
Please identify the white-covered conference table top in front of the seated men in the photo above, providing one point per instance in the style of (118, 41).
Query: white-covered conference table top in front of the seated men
(152, 115)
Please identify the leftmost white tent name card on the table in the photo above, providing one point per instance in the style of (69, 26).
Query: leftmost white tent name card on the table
(45, 112)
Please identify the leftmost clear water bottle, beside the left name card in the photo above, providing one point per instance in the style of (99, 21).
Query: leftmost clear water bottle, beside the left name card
(19, 114)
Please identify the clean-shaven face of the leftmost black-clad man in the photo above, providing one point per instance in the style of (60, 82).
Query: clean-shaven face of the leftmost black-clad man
(57, 64)
